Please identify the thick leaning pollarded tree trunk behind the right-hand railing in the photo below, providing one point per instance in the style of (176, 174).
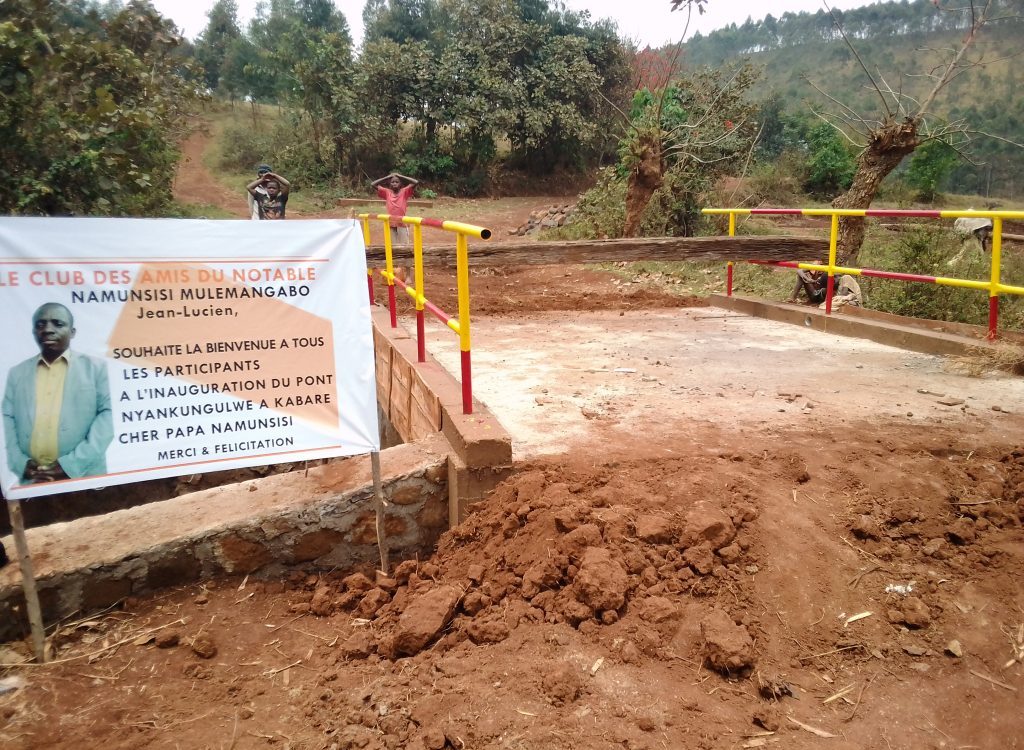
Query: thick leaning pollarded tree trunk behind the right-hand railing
(888, 146)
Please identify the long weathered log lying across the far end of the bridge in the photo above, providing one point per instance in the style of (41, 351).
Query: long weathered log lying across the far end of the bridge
(601, 252)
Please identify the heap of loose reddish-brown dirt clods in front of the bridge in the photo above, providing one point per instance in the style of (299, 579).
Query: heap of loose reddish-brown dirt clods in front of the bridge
(554, 550)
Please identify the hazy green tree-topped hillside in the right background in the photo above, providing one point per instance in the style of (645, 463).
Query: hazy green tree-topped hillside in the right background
(900, 44)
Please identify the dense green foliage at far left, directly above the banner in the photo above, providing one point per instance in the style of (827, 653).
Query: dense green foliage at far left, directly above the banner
(89, 121)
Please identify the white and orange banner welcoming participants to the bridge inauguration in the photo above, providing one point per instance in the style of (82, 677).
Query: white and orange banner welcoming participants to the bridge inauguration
(142, 349)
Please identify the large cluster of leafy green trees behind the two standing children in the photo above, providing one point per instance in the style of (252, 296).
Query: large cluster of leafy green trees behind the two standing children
(441, 88)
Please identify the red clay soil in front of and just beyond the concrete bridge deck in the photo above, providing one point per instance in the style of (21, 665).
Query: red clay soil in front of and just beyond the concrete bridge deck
(850, 588)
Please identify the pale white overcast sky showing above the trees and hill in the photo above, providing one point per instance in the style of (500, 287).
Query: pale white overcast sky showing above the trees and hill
(647, 22)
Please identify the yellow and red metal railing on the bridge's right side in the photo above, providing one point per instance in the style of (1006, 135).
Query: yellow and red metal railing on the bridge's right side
(994, 286)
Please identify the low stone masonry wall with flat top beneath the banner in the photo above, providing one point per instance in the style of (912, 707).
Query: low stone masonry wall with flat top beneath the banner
(324, 518)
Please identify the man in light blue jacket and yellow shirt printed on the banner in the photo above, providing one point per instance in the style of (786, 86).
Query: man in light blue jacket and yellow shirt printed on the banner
(57, 406)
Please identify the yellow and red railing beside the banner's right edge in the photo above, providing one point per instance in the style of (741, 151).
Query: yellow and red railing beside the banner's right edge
(460, 324)
